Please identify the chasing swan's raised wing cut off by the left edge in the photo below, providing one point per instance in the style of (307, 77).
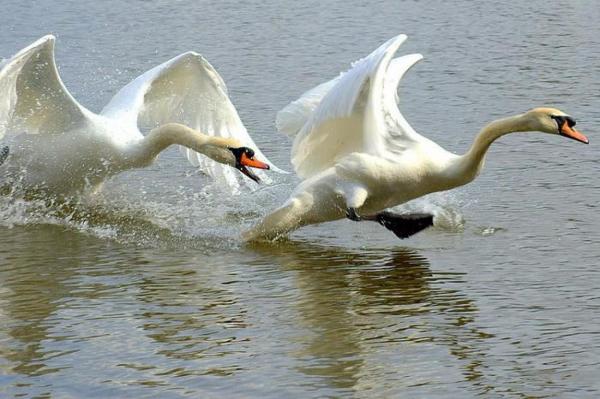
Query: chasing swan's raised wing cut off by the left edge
(33, 99)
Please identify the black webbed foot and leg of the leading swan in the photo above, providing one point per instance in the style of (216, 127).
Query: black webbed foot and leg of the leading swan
(403, 226)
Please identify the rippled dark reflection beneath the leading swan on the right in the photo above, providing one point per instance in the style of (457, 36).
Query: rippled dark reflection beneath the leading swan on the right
(366, 316)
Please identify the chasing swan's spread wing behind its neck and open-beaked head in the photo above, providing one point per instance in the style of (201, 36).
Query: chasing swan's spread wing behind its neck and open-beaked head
(187, 90)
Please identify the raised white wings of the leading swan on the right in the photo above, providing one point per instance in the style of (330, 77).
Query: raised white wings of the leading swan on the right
(356, 112)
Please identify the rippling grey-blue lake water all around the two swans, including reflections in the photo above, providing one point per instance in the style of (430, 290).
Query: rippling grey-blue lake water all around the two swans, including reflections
(147, 291)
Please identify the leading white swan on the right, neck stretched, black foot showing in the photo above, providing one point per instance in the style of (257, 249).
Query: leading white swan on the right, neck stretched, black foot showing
(357, 155)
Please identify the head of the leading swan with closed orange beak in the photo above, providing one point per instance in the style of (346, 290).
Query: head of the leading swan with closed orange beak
(554, 121)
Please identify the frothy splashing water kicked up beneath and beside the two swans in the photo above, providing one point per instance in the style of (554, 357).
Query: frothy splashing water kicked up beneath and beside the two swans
(209, 216)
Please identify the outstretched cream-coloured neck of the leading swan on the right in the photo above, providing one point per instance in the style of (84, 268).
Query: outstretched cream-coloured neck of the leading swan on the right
(468, 166)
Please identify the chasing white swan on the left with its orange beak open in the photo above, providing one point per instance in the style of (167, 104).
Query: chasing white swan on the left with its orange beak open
(53, 144)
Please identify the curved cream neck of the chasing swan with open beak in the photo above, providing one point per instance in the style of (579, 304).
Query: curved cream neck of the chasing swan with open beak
(174, 133)
